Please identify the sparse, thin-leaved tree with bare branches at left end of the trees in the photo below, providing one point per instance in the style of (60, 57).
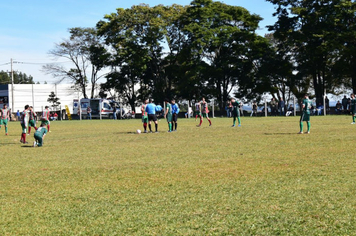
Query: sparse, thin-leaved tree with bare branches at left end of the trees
(87, 55)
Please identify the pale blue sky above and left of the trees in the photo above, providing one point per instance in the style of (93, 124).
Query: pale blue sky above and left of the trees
(30, 29)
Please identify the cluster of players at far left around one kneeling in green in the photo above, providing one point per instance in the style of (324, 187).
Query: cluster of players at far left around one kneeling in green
(28, 119)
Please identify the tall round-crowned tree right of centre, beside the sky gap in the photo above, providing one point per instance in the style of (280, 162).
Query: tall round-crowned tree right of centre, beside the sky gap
(221, 35)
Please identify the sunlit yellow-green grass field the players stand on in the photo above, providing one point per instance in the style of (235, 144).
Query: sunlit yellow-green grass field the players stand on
(100, 178)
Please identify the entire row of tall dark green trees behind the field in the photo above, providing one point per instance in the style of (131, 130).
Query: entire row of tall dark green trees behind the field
(211, 49)
